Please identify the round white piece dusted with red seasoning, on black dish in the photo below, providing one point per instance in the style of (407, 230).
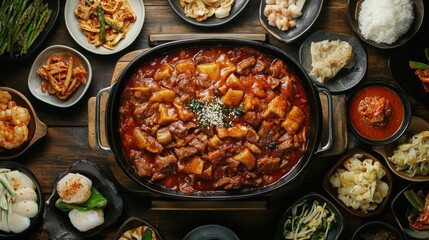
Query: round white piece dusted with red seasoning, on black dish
(74, 188)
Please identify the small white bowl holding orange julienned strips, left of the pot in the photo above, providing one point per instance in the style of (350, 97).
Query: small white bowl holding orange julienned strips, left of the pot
(35, 81)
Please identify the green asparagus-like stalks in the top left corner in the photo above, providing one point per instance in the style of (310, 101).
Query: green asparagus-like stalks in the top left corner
(21, 21)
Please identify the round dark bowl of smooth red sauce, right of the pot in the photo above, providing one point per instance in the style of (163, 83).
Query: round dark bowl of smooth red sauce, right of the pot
(396, 122)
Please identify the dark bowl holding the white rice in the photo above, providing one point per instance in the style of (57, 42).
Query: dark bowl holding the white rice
(353, 13)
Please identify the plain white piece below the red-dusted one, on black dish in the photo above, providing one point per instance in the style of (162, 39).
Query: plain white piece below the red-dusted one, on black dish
(86, 220)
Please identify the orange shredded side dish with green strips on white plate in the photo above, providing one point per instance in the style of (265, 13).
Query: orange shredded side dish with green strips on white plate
(105, 22)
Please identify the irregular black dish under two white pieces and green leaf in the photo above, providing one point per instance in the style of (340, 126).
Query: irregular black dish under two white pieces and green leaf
(58, 224)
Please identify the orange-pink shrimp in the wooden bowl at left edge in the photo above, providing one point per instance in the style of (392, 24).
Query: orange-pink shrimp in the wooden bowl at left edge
(14, 122)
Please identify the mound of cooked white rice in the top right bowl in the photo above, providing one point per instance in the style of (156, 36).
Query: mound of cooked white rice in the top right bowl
(384, 21)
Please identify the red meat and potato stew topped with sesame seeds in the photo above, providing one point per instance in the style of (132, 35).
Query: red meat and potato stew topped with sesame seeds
(214, 118)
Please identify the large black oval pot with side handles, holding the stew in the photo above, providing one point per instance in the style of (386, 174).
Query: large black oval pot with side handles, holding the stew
(113, 121)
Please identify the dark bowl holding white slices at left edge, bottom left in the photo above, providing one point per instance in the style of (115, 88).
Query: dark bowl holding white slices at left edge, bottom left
(21, 168)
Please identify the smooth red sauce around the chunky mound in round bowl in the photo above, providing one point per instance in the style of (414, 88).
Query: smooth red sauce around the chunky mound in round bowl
(380, 131)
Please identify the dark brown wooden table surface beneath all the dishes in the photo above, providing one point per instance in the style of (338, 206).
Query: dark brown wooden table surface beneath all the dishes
(67, 139)
